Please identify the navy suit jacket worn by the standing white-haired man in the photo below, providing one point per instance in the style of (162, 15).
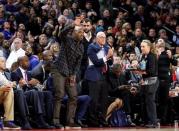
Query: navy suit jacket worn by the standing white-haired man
(94, 72)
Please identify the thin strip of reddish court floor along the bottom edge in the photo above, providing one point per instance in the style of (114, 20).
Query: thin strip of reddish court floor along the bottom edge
(118, 129)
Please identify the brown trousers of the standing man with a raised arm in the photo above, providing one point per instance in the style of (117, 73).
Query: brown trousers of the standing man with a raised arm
(60, 86)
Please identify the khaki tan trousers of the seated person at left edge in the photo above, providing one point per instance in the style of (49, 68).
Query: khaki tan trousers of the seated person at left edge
(7, 99)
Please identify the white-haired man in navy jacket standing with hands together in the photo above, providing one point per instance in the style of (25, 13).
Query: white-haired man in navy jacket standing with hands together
(99, 55)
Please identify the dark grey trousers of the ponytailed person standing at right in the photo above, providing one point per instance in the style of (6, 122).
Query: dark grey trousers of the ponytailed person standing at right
(149, 92)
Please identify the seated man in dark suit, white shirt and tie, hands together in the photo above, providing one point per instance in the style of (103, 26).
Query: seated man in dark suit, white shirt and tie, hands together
(33, 96)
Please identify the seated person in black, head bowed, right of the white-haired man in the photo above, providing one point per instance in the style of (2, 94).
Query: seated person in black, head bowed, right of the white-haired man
(121, 88)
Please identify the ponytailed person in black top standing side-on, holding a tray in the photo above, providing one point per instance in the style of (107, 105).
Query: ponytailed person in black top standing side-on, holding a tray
(150, 81)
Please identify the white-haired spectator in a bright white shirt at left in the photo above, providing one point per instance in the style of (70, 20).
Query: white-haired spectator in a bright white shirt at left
(16, 53)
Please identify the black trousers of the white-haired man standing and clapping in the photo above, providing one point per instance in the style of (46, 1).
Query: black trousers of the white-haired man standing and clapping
(98, 91)
